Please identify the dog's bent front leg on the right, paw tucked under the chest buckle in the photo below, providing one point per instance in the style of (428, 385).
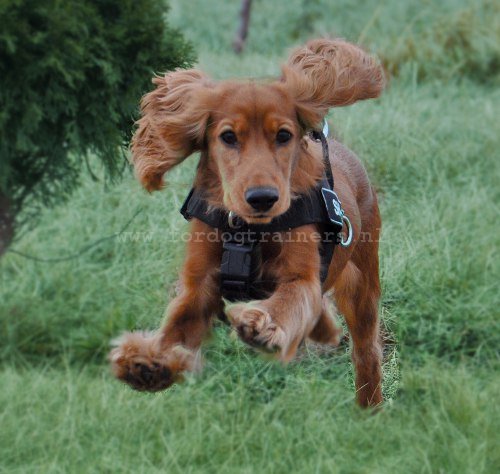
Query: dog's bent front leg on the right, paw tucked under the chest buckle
(281, 322)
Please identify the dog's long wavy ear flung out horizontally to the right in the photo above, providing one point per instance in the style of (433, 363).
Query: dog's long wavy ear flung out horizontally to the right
(330, 73)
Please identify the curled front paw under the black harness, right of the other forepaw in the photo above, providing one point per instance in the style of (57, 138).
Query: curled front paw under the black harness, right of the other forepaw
(256, 327)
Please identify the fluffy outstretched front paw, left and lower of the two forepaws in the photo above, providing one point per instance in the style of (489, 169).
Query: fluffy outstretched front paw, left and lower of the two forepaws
(138, 361)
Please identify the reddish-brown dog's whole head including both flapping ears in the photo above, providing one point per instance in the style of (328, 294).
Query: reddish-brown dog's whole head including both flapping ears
(252, 135)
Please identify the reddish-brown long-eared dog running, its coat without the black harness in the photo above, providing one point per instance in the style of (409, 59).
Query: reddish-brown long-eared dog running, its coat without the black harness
(253, 135)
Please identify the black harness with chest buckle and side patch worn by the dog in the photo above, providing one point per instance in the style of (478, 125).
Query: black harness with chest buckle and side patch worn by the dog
(242, 253)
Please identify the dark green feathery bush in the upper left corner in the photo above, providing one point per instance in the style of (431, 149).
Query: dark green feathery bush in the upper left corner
(71, 76)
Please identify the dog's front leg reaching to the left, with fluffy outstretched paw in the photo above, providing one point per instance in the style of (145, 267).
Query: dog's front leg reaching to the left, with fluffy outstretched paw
(154, 361)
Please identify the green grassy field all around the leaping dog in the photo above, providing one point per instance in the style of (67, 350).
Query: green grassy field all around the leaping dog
(431, 146)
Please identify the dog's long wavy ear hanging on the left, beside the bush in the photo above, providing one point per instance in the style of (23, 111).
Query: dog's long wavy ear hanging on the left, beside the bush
(173, 123)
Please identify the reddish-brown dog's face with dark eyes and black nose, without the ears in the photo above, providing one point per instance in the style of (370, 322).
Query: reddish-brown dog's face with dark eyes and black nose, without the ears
(253, 143)
